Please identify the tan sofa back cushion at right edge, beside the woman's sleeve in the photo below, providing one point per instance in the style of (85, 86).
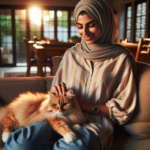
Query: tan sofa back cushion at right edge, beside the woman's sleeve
(142, 111)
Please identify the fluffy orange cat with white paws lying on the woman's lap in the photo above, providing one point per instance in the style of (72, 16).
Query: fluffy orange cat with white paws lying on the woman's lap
(62, 112)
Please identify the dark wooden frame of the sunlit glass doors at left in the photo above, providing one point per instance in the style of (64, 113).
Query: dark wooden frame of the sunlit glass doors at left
(27, 7)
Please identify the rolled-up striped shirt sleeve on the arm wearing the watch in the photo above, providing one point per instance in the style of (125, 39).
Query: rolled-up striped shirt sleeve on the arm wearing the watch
(123, 101)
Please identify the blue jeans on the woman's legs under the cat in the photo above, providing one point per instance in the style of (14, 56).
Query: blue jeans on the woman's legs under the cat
(40, 136)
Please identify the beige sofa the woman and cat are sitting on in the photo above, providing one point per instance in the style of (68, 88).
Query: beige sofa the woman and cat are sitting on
(134, 135)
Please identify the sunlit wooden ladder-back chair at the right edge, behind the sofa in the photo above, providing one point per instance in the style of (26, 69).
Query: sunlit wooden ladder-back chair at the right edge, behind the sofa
(143, 50)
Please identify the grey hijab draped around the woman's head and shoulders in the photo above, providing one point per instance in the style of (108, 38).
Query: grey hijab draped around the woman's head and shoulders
(103, 48)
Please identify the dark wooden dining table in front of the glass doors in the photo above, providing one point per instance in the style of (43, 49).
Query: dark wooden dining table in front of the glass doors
(47, 50)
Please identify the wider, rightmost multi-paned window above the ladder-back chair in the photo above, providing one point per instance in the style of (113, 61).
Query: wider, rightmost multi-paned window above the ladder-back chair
(140, 21)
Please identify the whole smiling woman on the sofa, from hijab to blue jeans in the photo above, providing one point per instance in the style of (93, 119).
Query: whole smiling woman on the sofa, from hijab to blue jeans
(102, 77)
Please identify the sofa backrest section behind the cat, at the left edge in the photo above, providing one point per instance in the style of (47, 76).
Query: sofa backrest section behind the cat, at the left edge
(10, 88)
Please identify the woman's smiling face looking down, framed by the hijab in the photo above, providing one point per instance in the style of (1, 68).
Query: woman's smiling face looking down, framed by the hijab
(88, 28)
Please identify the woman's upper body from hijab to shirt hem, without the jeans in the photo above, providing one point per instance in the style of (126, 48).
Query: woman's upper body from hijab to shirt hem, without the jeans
(101, 74)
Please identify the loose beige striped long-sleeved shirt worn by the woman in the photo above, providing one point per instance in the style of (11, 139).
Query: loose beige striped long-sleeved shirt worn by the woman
(109, 82)
